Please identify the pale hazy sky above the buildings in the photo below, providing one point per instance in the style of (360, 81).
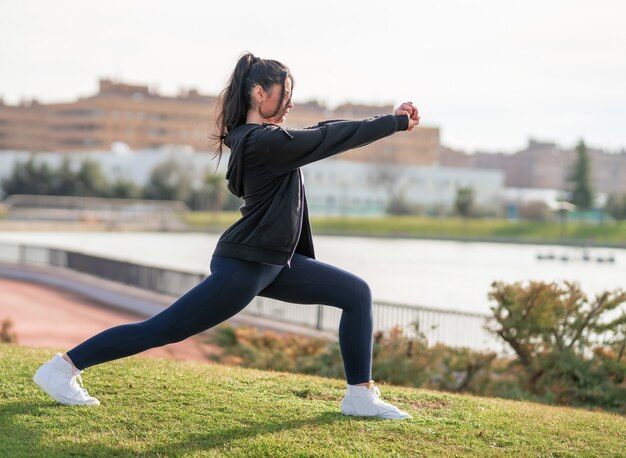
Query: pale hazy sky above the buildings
(489, 74)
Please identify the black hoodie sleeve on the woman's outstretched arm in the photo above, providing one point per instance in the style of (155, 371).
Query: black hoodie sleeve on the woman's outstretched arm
(282, 150)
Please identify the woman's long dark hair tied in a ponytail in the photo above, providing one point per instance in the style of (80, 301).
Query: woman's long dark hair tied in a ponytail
(233, 103)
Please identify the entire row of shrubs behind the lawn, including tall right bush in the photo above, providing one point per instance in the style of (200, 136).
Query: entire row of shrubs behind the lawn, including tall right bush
(566, 351)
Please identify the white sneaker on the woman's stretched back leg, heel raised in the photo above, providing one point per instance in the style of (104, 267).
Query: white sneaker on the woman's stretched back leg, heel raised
(57, 377)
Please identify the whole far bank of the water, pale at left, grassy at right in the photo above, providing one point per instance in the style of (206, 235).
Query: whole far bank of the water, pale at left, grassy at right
(610, 234)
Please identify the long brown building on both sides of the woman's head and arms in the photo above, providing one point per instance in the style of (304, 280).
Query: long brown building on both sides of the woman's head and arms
(143, 119)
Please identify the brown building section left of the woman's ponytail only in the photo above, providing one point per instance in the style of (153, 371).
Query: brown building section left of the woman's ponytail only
(118, 112)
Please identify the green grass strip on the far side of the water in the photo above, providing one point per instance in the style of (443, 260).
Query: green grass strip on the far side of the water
(610, 233)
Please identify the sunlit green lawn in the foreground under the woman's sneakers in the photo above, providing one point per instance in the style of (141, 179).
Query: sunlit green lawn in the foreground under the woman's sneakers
(161, 407)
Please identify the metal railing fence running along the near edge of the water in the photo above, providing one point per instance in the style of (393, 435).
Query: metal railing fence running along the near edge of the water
(449, 327)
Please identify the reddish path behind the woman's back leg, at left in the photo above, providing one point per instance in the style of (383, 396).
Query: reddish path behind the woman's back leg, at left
(49, 317)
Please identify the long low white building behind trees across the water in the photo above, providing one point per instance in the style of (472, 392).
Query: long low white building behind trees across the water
(333, 186)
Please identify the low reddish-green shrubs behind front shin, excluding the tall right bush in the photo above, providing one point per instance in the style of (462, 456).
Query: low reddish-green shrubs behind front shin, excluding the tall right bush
(397, 358)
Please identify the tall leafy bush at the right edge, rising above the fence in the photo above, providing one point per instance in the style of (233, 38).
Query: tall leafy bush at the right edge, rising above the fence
(567, 350)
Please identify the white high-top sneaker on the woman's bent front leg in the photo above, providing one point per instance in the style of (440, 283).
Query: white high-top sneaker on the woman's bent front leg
(363, 401)
